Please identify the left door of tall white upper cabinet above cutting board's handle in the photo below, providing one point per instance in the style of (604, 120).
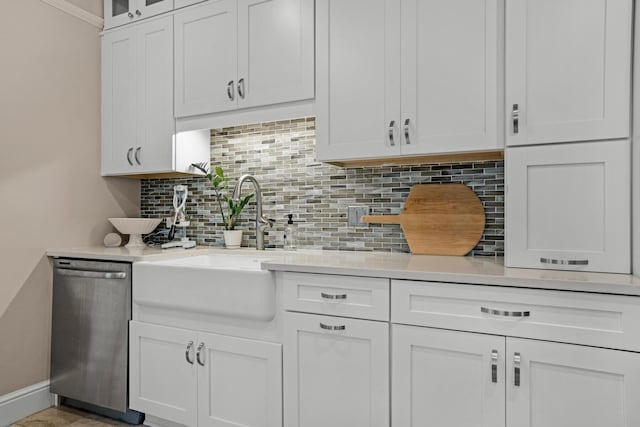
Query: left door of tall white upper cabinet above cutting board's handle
(358, 72)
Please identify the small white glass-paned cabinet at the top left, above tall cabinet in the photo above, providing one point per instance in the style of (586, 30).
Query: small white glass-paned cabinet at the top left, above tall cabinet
(120, 12)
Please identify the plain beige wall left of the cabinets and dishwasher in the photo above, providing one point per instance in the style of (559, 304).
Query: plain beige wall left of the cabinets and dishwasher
(51, 192)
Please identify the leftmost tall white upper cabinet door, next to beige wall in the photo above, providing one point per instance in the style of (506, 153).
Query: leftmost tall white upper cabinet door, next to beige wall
(119, 100)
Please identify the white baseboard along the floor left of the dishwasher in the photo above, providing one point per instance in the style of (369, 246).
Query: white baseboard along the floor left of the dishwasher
(22, 403)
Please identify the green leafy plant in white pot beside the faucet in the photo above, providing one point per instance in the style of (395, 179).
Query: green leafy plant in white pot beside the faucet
(229, 209)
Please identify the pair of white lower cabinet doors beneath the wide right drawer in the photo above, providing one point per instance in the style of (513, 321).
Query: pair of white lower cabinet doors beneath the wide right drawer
(449, 379)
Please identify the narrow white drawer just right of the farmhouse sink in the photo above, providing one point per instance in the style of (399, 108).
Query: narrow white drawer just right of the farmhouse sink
(347, 296)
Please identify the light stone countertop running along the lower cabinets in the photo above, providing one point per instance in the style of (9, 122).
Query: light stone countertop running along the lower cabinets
(469, 270)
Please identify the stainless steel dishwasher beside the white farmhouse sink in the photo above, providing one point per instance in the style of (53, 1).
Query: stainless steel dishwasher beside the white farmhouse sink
(89, 337)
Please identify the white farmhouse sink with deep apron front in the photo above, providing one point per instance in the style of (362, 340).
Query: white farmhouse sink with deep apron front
(213, 284)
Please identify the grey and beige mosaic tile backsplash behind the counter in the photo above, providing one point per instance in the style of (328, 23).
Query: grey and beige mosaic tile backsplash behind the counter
(281, 156)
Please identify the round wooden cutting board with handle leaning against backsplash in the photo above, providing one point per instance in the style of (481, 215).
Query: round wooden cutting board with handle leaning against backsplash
(439, 219)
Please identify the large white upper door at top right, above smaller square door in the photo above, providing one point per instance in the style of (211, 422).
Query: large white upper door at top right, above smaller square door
(568, 66)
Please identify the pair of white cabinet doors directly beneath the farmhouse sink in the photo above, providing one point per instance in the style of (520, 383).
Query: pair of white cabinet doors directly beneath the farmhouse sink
(201, 379)
